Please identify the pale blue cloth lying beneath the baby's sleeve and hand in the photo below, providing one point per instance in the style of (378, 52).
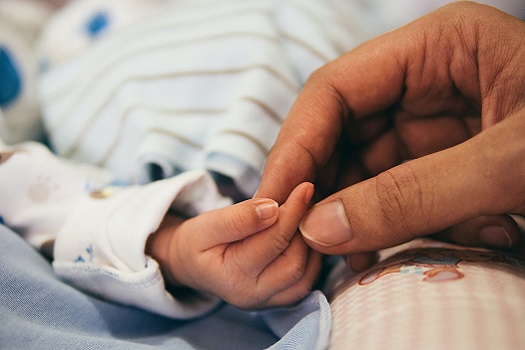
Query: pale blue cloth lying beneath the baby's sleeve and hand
(39, 311)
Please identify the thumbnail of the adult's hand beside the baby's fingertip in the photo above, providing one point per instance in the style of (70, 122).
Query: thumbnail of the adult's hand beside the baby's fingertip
(326, 224)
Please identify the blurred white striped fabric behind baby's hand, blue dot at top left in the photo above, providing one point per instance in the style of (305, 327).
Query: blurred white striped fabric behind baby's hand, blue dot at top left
(185, 85)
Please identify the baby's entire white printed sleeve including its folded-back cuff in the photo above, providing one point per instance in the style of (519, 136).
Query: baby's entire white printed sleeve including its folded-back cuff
(100, 230)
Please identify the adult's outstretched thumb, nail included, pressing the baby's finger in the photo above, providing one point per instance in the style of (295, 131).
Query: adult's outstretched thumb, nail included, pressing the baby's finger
(420, 197)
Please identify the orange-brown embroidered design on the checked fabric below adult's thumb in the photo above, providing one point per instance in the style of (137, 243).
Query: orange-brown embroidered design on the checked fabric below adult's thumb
(433, 264)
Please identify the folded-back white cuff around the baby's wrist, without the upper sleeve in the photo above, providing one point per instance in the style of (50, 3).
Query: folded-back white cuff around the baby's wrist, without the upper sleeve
(100, 248)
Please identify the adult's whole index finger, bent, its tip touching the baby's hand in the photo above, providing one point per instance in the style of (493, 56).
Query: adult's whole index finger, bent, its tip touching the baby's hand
(412, 63)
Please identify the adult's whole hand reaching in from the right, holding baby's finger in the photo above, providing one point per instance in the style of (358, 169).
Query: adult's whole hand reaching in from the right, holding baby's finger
(419, 131)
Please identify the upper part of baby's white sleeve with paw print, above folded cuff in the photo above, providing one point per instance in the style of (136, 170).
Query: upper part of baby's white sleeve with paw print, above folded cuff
(38, 189)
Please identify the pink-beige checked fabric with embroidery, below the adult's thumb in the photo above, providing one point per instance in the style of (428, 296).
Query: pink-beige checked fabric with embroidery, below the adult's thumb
(483, 307)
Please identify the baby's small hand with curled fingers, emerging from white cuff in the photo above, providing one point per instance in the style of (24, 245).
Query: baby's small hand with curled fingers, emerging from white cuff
(248, 254)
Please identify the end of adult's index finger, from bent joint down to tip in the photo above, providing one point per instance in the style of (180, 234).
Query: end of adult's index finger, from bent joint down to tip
(294, 148)
